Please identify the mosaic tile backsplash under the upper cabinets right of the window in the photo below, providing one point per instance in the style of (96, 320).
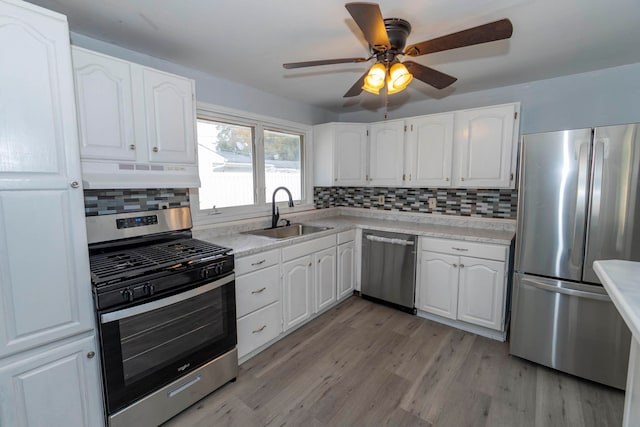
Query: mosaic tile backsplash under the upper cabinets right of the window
(485, 203)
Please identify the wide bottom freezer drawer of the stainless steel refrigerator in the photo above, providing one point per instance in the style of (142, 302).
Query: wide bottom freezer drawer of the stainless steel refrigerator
(572, 327)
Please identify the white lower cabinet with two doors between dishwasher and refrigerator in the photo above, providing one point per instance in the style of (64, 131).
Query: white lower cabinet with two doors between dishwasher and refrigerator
(470, 288)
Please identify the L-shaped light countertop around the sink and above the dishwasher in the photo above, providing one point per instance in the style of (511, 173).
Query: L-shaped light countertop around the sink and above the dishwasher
(247, 244)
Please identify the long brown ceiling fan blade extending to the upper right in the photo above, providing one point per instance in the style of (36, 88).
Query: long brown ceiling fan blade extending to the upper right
(492, 31)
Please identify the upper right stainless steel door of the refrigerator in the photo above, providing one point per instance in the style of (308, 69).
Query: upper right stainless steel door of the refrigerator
(614, 216)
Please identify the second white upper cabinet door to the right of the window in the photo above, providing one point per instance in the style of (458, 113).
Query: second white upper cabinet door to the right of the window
(386, 155)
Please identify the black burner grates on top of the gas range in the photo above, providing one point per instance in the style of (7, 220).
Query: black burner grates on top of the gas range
(130, 262)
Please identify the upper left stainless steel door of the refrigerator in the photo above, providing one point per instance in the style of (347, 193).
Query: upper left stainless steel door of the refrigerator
(552, 211)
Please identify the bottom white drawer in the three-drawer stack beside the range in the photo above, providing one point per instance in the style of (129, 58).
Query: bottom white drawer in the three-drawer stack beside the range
(258, 328)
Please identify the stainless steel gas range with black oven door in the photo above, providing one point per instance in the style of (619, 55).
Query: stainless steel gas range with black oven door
(166, 315)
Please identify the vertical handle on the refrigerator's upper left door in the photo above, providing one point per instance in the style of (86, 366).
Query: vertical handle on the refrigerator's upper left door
(581, 205)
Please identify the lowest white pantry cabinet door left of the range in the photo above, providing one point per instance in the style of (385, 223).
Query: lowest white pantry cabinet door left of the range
(59, 387)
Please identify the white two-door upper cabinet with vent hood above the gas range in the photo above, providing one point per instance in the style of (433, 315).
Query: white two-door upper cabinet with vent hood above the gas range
(137, 124)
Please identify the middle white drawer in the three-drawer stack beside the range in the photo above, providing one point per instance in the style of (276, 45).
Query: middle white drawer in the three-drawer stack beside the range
(257, 289)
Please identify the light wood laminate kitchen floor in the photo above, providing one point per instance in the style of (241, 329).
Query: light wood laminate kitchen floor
(363, 364)
